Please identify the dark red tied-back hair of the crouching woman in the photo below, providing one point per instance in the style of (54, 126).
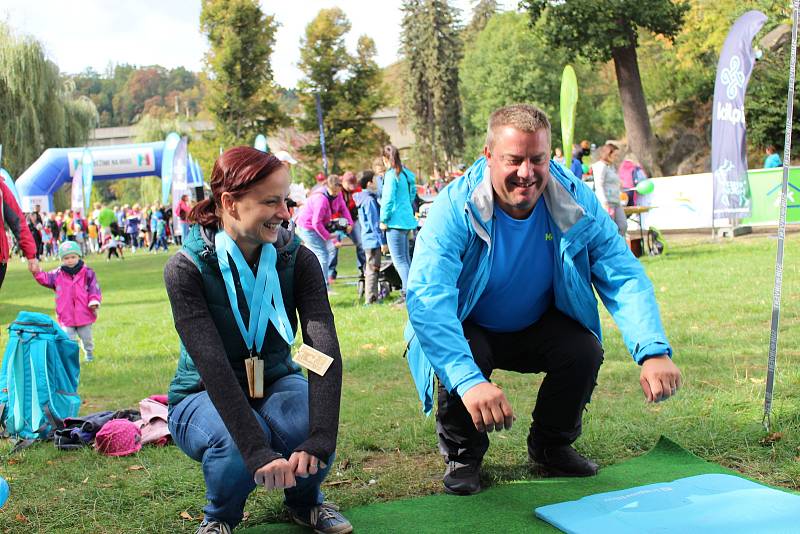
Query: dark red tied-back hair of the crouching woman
(236, 171)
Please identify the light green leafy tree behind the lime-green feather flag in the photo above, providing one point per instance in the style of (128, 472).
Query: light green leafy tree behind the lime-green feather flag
(497, 71)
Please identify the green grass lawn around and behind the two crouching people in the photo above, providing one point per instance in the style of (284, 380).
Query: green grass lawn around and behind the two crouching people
(715, 301)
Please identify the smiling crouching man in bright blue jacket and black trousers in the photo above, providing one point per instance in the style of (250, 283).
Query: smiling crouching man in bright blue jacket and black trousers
(502, 278)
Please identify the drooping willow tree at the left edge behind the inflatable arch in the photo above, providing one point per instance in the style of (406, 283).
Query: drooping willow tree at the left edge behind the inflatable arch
(37, 110)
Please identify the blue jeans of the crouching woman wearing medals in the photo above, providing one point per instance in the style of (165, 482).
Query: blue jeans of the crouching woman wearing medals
(198, 430)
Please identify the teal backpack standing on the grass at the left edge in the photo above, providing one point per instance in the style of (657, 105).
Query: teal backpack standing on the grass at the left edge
(38, 378)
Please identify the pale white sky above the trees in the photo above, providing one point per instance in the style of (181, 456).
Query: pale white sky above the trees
(94, 33)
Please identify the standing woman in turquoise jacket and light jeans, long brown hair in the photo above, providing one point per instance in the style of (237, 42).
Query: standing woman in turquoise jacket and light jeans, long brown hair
(397, 211)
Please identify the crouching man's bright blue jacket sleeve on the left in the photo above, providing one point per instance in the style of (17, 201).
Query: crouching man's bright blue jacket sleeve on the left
(432, 297)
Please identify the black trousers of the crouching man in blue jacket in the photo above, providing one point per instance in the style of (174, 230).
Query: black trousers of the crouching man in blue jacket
(568, 353)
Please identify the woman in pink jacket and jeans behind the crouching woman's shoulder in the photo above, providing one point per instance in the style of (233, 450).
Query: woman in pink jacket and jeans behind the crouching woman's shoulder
(321, 216)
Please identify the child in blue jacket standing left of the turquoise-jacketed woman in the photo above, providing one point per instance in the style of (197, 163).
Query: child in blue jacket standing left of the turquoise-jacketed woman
(372, 238)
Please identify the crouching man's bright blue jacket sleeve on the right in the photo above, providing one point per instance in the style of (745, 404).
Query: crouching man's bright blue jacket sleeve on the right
(624, 288)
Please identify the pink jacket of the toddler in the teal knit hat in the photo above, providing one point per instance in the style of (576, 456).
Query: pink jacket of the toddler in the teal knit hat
(73, 295)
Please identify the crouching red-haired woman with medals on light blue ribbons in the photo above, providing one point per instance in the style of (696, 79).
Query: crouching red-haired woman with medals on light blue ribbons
(237, 288)
